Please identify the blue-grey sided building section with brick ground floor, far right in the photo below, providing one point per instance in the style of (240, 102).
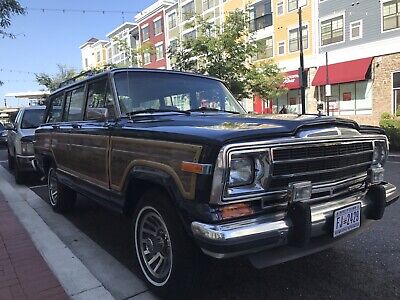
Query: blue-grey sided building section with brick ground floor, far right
(362, 39)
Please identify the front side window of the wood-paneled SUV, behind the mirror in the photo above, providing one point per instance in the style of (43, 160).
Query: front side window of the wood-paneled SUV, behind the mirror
(100, 104)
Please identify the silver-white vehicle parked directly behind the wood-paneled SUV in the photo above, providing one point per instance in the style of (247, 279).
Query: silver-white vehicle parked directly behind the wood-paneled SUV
(20, 140)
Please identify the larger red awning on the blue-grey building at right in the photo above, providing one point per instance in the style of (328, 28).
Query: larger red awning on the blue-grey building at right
(349, 71)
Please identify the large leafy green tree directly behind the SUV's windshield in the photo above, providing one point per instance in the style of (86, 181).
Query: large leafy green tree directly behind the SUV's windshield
(226, 52)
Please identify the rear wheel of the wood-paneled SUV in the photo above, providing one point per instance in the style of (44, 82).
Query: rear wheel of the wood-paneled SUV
(62, 198)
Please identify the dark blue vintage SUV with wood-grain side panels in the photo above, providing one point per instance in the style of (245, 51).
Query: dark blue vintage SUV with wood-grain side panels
(197, 175)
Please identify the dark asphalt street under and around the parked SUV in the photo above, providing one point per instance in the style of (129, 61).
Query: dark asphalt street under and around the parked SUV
(364, 267)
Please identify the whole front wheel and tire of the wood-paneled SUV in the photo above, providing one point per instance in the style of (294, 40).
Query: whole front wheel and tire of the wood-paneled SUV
(167, 257)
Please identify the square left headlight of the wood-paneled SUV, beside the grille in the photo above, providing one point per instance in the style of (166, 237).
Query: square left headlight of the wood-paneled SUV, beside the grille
(241, 171)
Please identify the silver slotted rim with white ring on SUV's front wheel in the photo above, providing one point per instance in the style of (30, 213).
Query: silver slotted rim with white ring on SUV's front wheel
(153, 246)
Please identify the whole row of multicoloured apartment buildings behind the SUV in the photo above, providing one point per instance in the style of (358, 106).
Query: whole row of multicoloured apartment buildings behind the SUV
(358, 40)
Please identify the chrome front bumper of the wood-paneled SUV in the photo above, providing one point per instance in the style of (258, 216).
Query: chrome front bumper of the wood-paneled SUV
(277, 231)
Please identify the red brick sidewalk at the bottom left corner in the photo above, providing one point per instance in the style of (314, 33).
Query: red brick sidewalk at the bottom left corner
(23, 272)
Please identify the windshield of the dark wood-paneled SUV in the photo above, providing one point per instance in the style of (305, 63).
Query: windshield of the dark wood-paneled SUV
(138, 91)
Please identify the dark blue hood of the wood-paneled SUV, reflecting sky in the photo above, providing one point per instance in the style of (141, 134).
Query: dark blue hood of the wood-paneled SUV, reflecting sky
(222, 128)
